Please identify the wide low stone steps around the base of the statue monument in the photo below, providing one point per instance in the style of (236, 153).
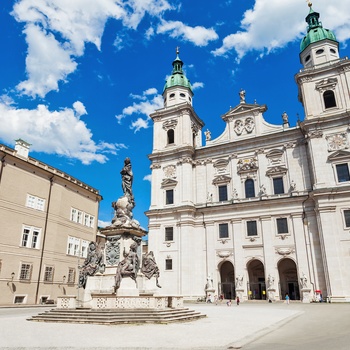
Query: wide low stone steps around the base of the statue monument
(113, 316)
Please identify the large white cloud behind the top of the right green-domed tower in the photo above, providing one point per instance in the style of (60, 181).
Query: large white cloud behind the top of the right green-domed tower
(272, 24)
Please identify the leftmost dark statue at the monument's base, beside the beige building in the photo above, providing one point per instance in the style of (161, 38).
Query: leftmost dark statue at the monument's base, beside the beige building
(92, 264)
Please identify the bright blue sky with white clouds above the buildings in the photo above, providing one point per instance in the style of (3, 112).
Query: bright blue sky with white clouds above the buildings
(80, 77)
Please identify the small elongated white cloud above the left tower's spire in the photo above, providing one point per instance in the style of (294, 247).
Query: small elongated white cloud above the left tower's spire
(198, 35)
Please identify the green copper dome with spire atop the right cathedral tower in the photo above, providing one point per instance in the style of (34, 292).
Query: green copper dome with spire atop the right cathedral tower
(315, 31)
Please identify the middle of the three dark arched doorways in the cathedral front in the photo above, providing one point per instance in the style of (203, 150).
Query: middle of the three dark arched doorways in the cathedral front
(256, 284)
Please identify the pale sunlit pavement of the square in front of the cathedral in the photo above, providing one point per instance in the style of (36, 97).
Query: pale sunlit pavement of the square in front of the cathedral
(253, 325)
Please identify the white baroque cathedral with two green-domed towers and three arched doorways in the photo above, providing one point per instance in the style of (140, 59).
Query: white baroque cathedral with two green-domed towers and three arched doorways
(263, 210)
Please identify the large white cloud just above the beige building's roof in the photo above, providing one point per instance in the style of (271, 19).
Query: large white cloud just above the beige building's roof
(59, 132)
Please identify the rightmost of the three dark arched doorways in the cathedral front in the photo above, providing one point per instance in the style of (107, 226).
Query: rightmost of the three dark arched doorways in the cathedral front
(287, 270)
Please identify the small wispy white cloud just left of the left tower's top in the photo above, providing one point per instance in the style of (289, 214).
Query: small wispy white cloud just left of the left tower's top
(145, 104)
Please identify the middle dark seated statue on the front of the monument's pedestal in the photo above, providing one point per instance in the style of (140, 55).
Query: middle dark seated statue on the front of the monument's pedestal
(128, 267)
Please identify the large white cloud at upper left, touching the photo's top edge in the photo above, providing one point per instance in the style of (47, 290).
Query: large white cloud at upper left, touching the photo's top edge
(56, 32)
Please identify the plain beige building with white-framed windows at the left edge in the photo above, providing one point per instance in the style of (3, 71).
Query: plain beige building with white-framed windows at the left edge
(48, 219)
